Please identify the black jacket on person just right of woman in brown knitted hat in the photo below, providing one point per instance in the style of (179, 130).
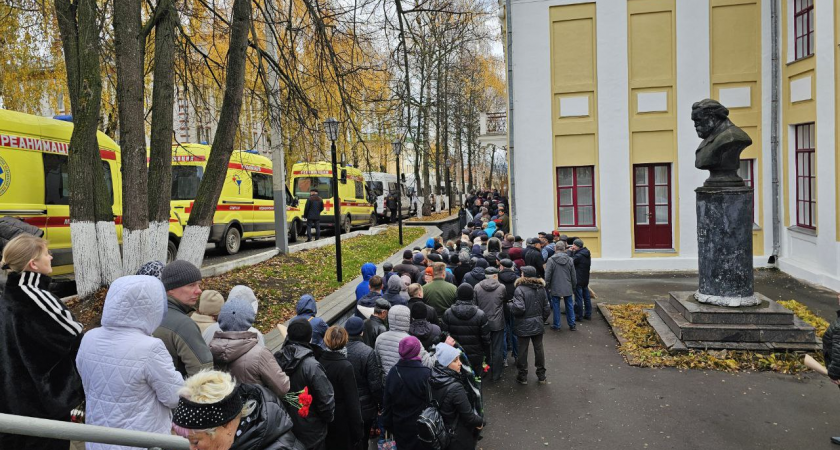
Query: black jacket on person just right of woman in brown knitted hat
(367, 372)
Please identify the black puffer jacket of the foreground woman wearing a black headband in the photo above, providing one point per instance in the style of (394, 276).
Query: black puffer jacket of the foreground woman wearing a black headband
(270, 427)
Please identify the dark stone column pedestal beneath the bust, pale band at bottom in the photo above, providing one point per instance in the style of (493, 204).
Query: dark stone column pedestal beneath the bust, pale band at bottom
(724, 241)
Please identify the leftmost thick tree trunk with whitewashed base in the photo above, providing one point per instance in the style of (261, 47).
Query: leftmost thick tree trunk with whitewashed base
(96, 256)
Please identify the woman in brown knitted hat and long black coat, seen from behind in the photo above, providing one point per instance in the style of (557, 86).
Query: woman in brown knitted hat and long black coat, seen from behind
(345, 433)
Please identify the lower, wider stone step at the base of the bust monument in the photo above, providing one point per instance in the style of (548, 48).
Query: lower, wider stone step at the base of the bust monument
(797, 332)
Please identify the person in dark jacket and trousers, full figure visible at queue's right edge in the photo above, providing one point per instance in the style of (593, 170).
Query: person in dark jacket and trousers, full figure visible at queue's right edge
(530, 310)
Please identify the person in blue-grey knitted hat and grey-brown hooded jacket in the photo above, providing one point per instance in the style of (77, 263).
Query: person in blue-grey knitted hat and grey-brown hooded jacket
(235, 350)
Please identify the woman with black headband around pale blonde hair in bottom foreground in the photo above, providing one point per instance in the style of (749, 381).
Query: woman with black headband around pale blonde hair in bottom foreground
(216, 413)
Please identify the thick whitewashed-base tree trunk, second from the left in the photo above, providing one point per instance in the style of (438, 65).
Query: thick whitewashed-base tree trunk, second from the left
(129, 46)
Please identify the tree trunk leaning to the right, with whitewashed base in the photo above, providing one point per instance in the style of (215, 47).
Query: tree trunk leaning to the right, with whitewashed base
(201, 218)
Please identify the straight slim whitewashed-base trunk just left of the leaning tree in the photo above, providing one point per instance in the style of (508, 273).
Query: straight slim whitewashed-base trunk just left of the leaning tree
(160, 153)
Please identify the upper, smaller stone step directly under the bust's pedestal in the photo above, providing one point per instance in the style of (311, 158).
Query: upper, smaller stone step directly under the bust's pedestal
(766, 313)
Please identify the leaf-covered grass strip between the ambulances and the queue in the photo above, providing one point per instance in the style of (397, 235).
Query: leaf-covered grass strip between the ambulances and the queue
(280, 281)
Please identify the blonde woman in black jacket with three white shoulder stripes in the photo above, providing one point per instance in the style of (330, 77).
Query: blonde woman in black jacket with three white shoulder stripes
(39, 339)
